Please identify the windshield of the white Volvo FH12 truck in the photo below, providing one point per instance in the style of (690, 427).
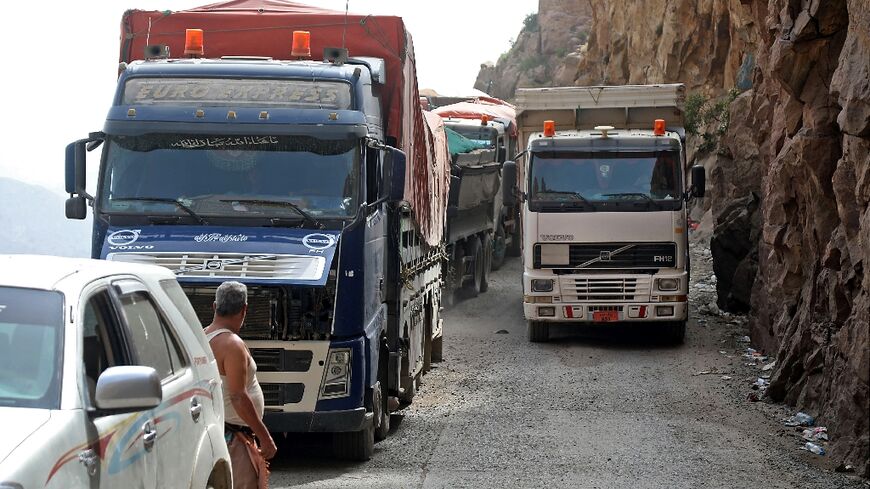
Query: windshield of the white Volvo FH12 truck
(584, 177)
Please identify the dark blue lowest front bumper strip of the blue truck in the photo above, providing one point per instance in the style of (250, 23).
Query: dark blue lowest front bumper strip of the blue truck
(318, 421)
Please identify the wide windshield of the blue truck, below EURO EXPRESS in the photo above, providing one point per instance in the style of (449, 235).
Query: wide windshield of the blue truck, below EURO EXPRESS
(236, 176)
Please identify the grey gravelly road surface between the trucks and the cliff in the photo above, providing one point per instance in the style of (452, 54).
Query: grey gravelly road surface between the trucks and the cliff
(608, 408)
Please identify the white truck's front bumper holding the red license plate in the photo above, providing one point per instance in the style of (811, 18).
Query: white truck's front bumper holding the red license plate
(585, 312)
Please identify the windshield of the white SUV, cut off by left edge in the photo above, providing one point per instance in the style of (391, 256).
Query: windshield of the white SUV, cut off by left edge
(31, 339)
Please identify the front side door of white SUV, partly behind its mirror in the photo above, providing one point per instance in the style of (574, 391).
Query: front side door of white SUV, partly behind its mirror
(119, 451)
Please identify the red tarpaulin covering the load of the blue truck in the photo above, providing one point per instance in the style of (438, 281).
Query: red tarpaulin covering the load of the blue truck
(265, 28)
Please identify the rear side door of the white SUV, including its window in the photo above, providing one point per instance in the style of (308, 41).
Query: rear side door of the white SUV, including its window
(177, 419)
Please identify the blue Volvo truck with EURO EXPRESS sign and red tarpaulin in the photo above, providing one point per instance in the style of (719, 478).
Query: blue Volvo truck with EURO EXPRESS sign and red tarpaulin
(283, 146)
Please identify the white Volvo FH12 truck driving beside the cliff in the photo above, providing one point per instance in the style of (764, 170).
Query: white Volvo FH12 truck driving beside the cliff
(603, 197)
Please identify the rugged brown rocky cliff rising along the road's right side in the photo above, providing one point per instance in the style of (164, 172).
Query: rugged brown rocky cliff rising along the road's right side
(788, 165)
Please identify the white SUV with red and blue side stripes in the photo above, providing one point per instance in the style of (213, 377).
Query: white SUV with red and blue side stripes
(106, 379)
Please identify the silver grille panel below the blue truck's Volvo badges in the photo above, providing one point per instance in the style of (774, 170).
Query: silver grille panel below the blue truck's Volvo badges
(231, 265)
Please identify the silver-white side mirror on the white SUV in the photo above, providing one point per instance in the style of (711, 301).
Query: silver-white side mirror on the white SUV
(127, 389)
